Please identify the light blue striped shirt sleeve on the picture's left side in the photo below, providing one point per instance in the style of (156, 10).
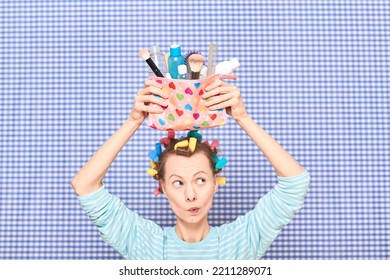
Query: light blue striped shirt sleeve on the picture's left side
(120, 227)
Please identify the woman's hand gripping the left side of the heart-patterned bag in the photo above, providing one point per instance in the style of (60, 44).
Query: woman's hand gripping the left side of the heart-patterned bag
(145, 98)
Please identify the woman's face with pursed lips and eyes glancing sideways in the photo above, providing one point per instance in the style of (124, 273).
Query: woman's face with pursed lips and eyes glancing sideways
(189, 185)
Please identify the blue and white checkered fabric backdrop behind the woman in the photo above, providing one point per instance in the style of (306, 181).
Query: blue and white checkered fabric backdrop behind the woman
(314, 74)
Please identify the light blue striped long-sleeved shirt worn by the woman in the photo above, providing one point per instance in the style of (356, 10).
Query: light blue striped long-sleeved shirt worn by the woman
(248, 237)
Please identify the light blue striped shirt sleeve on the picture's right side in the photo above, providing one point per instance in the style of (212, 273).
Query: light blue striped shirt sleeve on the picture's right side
(274, 210)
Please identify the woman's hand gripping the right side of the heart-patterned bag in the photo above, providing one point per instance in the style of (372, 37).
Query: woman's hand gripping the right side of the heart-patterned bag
(223, 95)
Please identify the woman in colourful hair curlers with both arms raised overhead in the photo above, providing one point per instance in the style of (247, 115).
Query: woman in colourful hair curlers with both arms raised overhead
(187, 176)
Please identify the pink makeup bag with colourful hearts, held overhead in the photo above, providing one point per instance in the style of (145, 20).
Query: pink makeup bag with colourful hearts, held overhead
(186, 109)
